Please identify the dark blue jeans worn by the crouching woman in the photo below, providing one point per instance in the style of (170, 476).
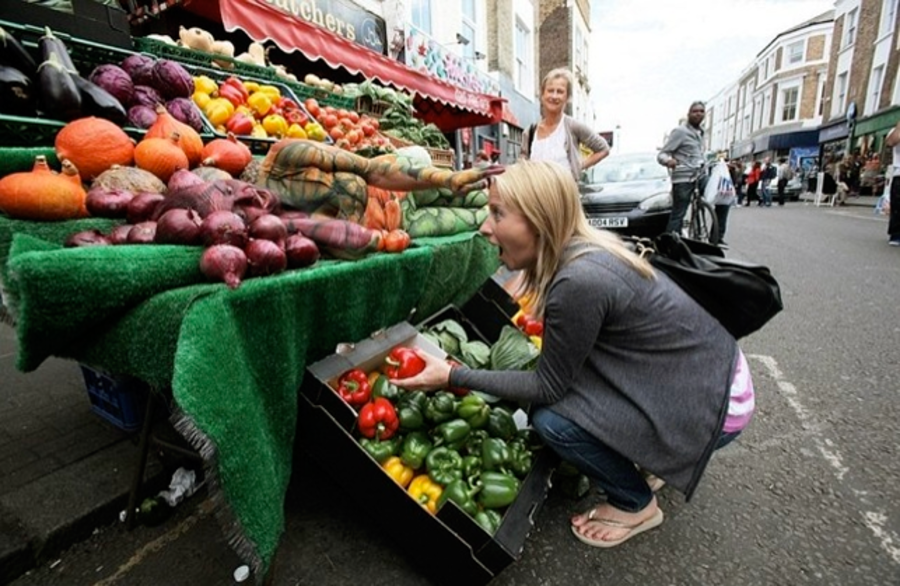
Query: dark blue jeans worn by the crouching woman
(612, 472)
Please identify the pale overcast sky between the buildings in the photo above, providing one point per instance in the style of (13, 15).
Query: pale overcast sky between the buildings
(651, 58)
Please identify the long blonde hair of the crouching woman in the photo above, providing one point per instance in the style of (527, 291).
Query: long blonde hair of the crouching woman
(546, 194)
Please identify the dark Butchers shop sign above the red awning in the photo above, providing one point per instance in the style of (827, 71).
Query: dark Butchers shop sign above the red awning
(340, 17)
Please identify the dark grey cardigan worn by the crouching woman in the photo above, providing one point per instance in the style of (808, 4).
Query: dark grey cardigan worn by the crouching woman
(634, 361)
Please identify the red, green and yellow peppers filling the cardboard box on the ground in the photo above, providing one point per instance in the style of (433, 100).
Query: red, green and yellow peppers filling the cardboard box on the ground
(449, 445)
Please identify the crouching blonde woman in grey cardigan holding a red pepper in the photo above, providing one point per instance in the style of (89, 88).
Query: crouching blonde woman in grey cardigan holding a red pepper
(632, 370)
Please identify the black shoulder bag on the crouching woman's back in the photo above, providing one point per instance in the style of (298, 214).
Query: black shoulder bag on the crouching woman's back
(742, 296)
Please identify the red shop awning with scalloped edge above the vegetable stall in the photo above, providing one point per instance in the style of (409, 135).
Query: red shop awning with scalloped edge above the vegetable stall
(446, 105)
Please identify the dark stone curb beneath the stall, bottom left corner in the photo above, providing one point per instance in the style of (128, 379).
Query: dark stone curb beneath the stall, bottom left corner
(42, 519)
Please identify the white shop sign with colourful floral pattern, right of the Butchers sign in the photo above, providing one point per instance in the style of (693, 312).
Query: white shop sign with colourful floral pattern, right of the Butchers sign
(424, 53)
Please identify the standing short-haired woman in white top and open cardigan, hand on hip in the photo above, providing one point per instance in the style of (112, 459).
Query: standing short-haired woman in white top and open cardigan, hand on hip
(557, 137)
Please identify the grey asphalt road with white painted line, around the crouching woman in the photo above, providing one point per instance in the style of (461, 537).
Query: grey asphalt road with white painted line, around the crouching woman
(808, 495)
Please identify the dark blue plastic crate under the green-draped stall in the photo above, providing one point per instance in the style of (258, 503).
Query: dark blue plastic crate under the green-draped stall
(119, 400)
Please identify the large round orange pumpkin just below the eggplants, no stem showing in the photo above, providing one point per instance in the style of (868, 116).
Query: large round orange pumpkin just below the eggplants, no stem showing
(94, 145)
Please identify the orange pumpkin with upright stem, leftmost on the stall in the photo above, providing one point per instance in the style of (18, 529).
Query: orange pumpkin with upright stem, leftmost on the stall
(42, 194)
